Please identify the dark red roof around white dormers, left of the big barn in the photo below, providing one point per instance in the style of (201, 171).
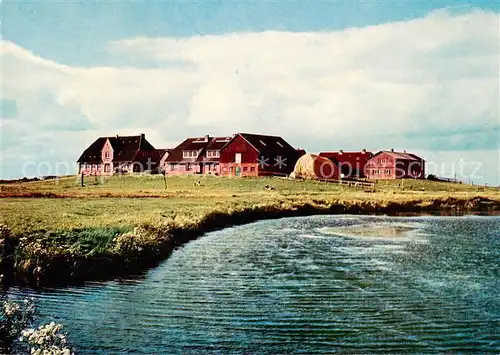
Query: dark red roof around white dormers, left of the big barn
(201, 144)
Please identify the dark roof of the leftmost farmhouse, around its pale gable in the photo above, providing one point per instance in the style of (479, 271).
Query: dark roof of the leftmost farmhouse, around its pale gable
(125, 148)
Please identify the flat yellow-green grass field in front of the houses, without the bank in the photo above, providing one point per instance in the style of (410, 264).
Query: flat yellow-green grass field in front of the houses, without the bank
(126, 201)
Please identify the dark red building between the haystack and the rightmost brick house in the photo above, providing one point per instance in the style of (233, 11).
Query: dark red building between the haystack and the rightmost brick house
(351, 164)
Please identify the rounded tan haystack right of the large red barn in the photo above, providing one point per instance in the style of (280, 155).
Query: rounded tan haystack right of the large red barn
(314, 167)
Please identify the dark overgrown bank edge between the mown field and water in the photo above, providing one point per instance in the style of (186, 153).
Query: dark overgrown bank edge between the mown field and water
(86, 254)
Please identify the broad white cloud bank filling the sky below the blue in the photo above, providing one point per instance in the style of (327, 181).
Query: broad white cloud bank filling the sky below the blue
(417, 84)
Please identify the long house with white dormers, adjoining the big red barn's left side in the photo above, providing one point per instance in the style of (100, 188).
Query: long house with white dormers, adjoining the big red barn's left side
(199, 155)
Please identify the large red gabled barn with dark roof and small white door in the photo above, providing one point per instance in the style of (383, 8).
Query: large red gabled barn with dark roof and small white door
(257, 155)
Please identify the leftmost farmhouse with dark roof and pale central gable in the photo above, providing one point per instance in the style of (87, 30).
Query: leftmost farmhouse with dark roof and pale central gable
(118, 154)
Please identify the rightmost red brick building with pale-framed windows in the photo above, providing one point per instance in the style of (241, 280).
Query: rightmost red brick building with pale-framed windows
(395, 165)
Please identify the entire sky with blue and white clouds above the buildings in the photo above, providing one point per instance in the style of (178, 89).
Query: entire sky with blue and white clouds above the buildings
(326, 75)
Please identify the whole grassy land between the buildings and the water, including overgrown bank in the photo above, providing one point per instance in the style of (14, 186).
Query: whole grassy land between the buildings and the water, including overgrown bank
(121, 225)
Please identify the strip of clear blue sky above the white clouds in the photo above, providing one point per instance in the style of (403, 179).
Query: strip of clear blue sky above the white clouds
(75, 32)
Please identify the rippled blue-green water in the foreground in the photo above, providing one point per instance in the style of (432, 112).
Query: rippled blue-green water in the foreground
(303, 285)
